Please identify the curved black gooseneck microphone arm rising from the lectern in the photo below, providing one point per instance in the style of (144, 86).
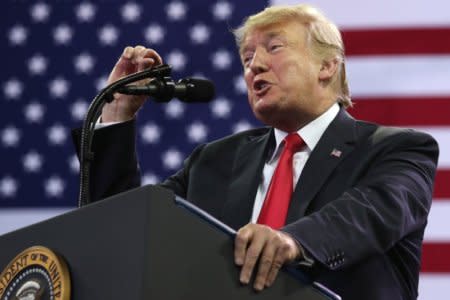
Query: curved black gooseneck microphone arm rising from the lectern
(92, 115)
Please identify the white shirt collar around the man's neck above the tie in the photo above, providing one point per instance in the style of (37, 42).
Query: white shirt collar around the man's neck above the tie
(311, 132)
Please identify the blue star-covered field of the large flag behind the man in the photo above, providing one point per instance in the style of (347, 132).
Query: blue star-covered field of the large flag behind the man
(60, 55)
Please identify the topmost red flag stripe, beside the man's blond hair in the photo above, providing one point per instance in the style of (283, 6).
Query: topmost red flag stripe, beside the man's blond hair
(397, 41)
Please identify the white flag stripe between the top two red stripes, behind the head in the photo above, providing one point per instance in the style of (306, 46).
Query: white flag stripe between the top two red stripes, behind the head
(399, 75)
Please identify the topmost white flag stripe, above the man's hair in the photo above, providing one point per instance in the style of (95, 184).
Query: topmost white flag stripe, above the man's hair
(382, 13)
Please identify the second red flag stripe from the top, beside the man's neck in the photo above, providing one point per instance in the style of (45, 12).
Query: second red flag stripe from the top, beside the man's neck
(412, 111)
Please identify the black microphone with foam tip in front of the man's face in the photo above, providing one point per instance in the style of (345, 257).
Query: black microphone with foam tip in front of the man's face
(164, 89)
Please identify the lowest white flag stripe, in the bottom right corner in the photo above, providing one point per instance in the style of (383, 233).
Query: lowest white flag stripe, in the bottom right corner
(434, 286)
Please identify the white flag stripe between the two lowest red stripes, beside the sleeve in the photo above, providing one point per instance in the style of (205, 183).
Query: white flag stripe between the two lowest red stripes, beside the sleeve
(437, 229)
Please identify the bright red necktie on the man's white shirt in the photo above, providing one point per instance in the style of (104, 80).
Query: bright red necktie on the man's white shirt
(276, 204)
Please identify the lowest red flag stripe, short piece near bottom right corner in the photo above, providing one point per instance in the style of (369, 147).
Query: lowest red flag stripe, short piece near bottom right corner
(436, 257)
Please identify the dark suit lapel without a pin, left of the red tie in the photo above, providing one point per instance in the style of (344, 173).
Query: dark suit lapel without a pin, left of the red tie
(246, 176)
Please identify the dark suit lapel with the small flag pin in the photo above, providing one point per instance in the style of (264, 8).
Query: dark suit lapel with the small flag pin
(335, 144)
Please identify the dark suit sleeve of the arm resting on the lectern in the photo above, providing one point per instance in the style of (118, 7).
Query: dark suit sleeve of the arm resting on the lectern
(391, 200)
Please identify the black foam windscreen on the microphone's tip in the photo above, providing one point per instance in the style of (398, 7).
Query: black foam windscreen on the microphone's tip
(198, 90)
